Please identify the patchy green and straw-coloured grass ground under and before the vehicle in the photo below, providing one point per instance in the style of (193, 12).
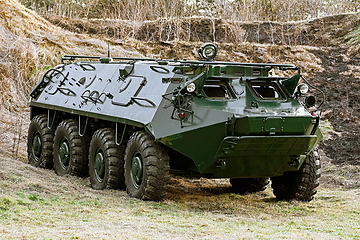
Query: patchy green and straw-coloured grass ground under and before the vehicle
(47, 206)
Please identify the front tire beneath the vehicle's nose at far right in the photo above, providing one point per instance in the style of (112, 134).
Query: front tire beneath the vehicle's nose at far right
(300, 185)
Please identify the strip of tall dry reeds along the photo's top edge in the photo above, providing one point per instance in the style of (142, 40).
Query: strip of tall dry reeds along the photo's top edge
(248, 10)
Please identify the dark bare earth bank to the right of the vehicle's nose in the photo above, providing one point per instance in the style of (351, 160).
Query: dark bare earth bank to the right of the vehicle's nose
(341, 82)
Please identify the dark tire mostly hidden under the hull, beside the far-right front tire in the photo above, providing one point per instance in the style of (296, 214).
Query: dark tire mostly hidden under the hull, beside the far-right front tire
(248, 185)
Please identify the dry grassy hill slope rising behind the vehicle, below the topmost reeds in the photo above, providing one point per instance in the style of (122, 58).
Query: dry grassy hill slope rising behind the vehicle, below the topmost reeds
(30, 44)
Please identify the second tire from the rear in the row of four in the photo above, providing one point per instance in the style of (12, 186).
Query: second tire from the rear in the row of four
(67, 133)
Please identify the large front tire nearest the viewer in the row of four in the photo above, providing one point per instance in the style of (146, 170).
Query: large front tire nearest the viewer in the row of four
(154, 159)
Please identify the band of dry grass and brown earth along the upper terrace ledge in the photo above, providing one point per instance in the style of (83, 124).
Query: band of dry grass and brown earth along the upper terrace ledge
(325, 31)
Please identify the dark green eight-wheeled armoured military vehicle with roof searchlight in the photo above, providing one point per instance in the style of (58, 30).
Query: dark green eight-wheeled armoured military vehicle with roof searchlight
(131, 122)
